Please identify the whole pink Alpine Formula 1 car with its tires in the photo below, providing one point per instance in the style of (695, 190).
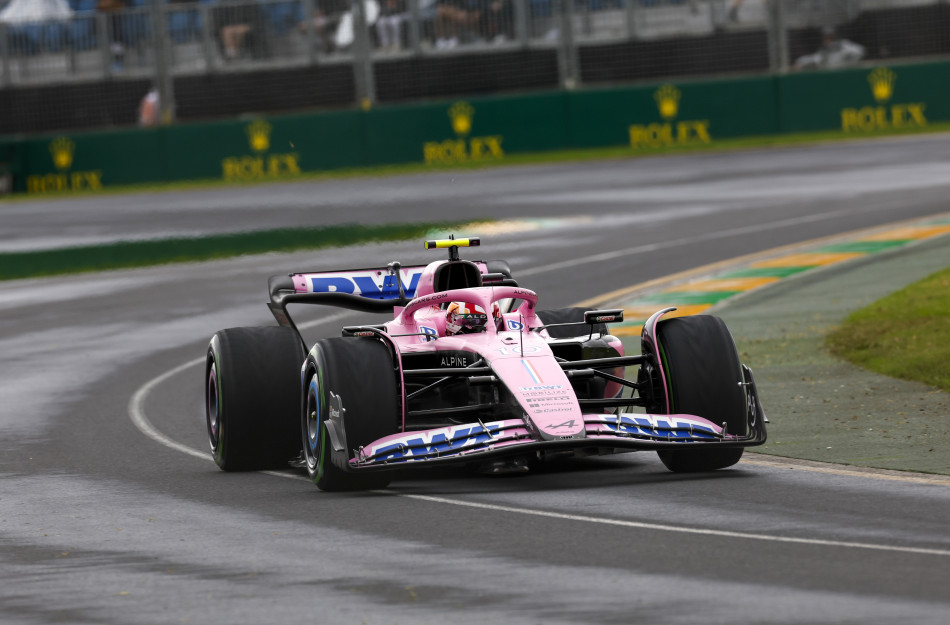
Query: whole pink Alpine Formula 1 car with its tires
(468, 371)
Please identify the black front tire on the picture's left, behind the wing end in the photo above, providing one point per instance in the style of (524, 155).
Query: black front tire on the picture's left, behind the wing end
(360, 372)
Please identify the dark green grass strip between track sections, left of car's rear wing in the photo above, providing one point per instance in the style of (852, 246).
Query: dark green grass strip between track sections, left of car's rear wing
(128, 254)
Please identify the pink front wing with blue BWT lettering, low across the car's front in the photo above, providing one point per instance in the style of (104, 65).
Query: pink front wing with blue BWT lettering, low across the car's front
(481, 441)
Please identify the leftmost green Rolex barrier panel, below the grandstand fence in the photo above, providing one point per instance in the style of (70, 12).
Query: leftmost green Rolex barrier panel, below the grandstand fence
(89, 161)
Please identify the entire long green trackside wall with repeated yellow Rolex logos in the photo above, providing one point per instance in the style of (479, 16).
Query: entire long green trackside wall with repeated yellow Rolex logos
(644, 117)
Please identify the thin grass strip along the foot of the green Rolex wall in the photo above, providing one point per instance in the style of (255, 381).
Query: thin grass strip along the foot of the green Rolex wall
(556, 156)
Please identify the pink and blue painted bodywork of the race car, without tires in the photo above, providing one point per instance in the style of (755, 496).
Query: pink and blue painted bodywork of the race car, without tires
(520, 358)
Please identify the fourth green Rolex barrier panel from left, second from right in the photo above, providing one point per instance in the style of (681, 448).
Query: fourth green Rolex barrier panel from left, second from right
(686, 113)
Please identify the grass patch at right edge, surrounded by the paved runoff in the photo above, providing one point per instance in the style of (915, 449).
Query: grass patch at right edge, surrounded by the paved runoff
(905, 335)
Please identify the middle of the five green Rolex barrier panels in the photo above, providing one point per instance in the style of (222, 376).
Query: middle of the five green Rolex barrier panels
(462, 131)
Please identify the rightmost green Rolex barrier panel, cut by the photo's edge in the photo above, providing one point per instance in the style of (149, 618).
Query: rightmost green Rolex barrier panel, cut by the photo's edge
(886, 97)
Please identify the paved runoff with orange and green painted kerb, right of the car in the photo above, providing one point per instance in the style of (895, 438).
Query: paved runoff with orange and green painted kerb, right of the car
(781, 305)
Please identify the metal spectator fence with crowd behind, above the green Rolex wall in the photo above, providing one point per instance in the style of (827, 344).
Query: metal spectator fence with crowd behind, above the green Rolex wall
(221, 57)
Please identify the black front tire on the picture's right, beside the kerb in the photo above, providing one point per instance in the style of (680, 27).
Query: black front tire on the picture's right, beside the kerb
(704, 378)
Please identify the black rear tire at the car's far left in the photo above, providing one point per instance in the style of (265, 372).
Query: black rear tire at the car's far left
(252, 386)
